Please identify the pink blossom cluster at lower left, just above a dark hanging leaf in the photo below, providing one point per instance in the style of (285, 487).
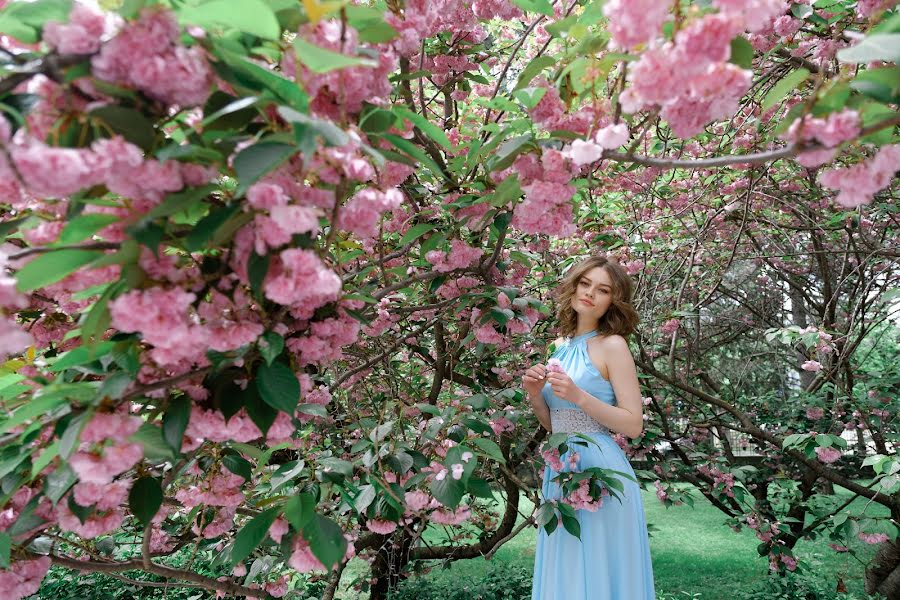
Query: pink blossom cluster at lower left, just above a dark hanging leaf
(105, 450)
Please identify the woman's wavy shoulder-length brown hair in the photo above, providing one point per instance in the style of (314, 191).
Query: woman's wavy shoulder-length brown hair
(621, 318)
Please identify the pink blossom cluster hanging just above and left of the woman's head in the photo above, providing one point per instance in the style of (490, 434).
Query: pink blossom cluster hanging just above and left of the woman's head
(547, 207)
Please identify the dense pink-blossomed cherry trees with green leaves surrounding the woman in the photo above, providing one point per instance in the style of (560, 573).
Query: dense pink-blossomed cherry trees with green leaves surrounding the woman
(271, 271)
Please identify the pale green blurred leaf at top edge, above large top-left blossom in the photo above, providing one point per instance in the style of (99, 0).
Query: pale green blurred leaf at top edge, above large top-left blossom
(250, 16)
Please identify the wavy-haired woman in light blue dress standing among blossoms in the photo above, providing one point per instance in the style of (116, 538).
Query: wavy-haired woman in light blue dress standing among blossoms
(598, 392)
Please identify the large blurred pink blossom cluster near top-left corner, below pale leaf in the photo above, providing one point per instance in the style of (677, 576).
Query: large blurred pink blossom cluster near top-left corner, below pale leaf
(147, 55)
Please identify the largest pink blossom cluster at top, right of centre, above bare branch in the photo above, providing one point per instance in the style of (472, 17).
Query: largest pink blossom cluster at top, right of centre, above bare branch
(690, 79)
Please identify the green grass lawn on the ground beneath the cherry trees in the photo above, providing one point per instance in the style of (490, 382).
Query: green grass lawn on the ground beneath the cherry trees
(694, 554)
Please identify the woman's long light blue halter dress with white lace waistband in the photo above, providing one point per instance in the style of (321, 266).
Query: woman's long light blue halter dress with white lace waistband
(612, 560)
